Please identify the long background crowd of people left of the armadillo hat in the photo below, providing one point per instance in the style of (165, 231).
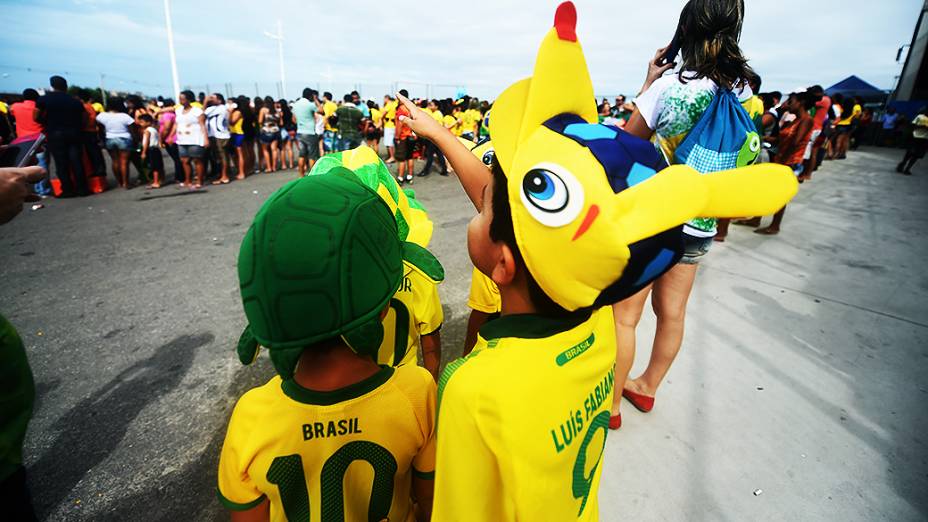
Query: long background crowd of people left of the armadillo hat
(211, 139)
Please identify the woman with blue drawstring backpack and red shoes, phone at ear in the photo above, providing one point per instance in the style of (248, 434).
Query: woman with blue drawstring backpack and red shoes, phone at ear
(711, 81)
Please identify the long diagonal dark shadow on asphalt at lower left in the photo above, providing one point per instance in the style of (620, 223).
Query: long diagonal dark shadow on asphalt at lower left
(95, 426)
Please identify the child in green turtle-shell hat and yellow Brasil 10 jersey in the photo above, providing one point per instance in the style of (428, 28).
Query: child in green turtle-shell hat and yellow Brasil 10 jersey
(334, 436)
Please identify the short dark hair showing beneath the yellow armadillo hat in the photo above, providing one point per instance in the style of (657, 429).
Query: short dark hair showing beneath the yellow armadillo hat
(501, 230)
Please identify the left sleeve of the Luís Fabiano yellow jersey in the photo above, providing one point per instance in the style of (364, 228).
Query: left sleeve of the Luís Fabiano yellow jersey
(467, 479)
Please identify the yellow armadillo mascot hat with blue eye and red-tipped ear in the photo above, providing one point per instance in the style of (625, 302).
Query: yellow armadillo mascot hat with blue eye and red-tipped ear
(597, 215)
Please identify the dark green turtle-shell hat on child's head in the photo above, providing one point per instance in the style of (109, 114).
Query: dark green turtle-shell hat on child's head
(321, 260)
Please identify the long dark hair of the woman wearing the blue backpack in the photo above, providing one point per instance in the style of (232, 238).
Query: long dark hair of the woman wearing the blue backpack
(708, 35)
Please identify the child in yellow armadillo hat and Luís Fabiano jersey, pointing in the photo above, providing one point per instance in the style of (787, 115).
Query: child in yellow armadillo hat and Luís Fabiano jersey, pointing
(572, 218)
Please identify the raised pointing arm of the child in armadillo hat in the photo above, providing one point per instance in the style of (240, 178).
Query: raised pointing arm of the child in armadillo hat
(472, 173)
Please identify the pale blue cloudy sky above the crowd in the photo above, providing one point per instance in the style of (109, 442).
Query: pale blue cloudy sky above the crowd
(434, 47)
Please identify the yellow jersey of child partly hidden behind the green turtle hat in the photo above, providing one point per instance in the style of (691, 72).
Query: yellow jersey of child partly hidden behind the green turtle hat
(414, 311)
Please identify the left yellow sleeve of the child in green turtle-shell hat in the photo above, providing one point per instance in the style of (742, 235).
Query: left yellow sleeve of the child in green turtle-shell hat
(237, 491)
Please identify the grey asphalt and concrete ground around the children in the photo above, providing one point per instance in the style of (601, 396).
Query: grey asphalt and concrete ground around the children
(802, 374)
